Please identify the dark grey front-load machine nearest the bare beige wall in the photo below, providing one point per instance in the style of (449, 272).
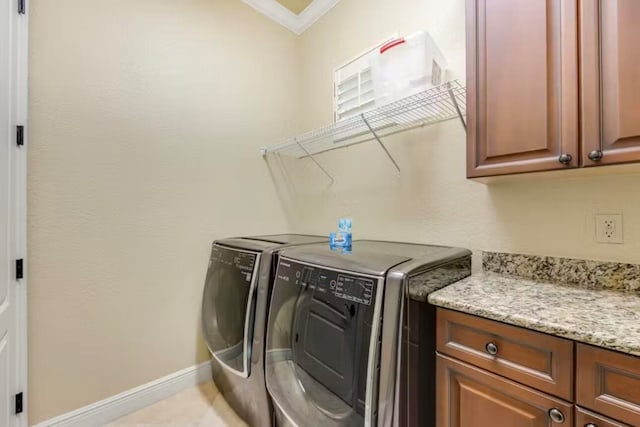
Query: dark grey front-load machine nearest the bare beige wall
(234, 309)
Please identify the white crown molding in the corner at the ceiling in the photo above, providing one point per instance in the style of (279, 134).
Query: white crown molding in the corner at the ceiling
(283, 16)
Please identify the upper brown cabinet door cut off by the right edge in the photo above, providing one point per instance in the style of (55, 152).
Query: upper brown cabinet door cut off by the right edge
(610, 88)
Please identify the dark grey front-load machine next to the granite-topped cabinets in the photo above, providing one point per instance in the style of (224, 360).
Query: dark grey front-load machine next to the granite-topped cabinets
(335, 327)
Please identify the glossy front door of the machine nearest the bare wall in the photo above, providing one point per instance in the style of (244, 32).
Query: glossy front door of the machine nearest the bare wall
(228, 306)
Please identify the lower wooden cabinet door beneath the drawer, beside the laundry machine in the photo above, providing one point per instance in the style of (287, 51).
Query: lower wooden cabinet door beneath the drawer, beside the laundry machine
(470, 397)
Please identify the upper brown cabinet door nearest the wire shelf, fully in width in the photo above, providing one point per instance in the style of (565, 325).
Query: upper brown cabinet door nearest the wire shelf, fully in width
(522, 86)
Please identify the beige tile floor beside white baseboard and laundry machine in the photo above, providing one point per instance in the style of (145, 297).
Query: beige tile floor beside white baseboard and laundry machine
(201, 406)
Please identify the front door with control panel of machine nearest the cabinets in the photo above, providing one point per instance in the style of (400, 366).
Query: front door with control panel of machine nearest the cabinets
(321, 362)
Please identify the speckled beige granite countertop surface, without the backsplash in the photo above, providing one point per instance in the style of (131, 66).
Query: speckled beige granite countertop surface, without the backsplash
(604, 318)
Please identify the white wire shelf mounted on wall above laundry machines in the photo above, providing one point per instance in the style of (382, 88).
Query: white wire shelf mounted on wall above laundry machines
(444, 102)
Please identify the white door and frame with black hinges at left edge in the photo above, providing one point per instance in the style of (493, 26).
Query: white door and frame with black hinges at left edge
(12, 292)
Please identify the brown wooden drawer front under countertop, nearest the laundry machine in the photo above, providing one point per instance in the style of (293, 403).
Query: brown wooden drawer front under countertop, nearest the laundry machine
(537, 360)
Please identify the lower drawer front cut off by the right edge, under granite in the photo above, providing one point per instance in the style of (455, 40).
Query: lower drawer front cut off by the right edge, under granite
(609, 383)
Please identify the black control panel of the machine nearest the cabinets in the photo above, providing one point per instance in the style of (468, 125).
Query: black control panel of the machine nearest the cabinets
(343, 285)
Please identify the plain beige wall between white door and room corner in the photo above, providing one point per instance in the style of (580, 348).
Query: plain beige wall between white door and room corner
(145, 122)
